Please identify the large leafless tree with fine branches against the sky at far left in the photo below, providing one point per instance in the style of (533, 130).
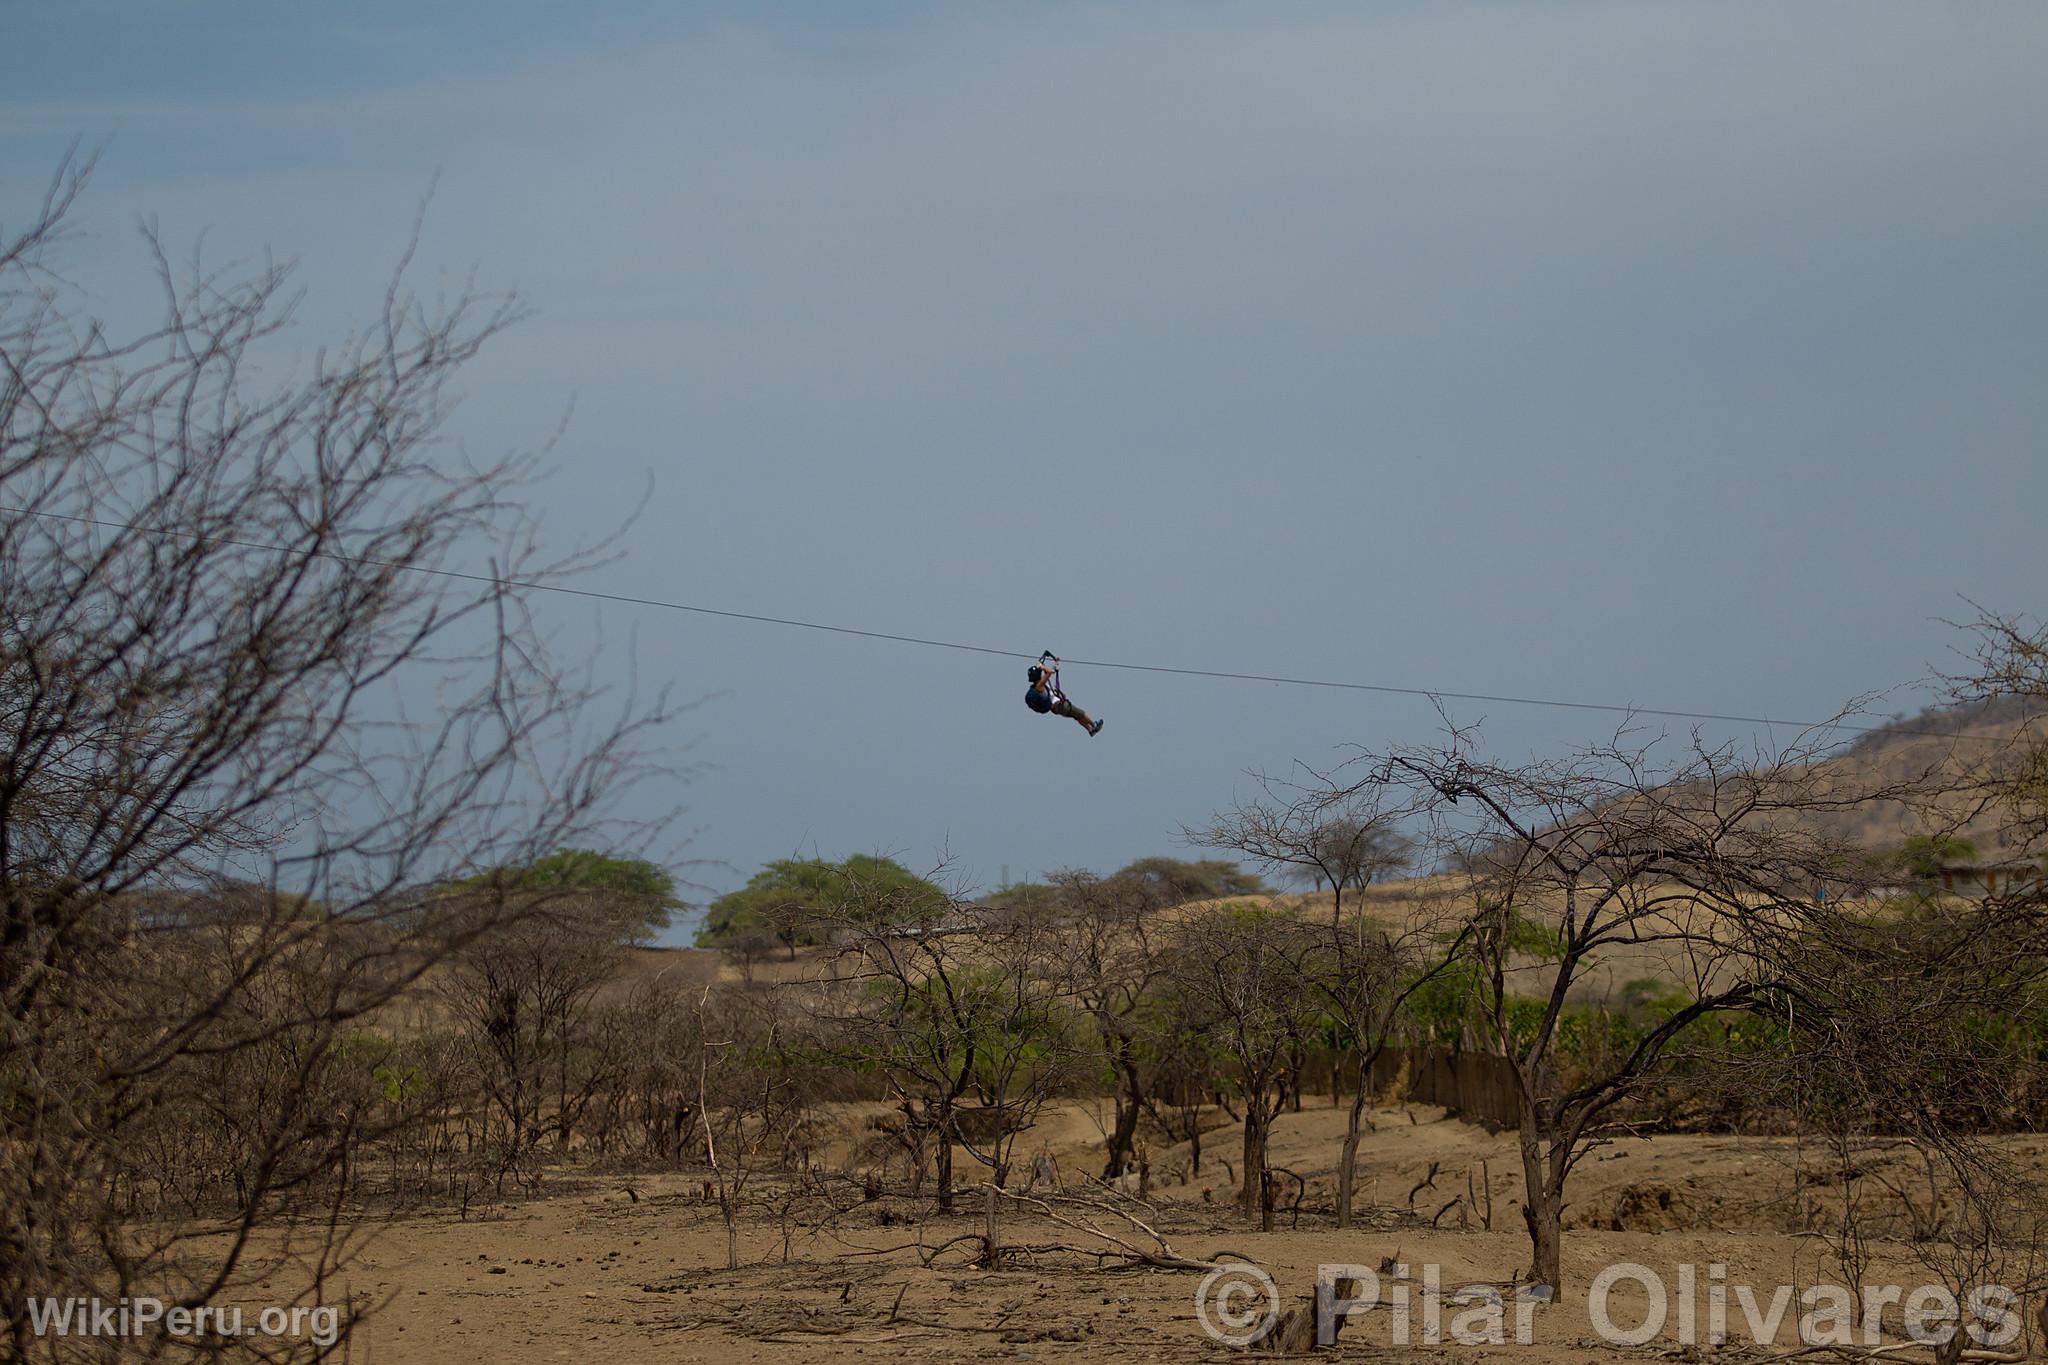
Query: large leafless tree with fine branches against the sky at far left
(212, 617)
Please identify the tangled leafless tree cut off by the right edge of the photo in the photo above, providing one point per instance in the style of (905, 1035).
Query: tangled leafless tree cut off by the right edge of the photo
(1910, 1034)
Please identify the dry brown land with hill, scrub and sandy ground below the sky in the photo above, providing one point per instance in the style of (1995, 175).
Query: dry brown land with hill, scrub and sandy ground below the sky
(1109, 1122)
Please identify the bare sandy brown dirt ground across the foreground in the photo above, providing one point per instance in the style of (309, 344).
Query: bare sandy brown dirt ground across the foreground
(634, 1270)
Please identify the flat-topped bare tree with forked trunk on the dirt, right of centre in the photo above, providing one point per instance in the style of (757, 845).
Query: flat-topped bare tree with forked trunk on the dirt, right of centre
(1711, 858)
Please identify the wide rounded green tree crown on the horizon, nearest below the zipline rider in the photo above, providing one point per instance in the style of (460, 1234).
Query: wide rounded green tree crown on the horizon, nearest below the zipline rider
(792, 897)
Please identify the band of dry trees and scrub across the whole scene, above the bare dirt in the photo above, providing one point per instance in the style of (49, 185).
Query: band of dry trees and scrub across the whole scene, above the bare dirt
(290, 951)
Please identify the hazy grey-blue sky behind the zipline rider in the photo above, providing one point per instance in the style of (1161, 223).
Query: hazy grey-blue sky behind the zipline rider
(1689, 357)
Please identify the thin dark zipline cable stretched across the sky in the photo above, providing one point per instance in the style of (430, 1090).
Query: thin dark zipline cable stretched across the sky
(593, 595)
